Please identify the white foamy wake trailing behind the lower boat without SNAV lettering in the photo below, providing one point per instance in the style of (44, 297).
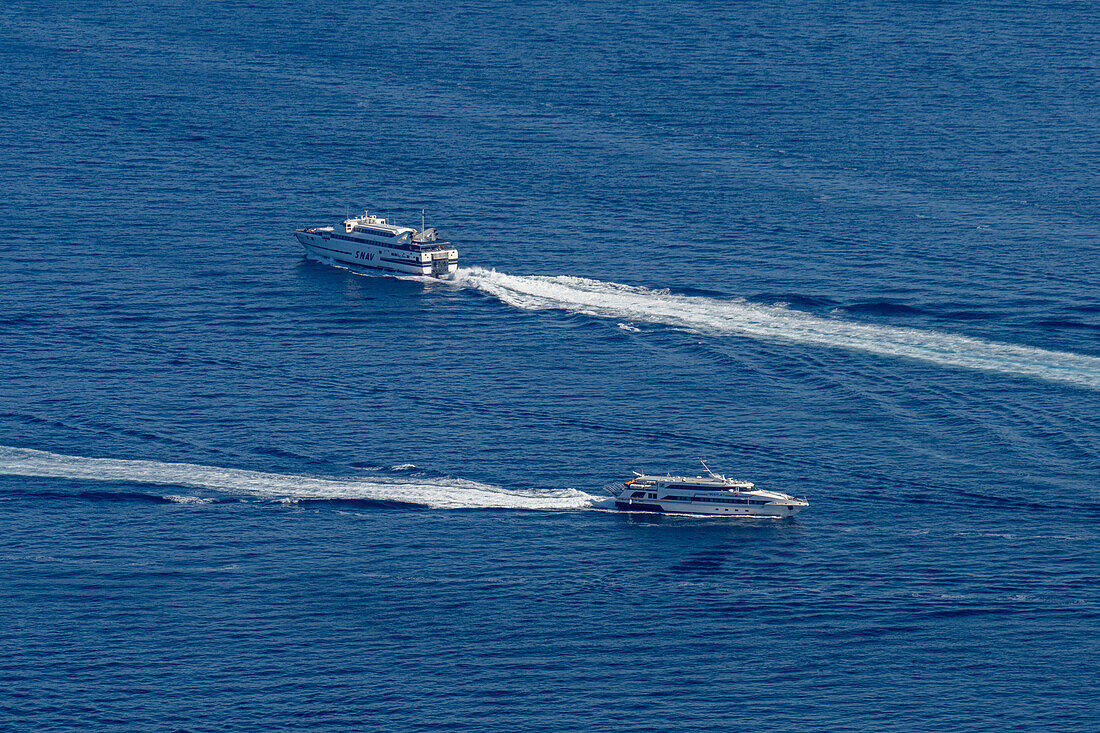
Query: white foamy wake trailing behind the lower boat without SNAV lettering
(438, 494)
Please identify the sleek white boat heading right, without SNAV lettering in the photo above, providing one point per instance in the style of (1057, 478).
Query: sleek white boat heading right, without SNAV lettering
(712, 495)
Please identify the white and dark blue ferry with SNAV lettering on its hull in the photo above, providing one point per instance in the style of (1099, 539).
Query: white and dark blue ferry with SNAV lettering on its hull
(376, 244)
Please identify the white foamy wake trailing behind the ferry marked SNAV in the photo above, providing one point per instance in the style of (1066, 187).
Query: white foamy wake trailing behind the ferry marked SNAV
(706, 315)
